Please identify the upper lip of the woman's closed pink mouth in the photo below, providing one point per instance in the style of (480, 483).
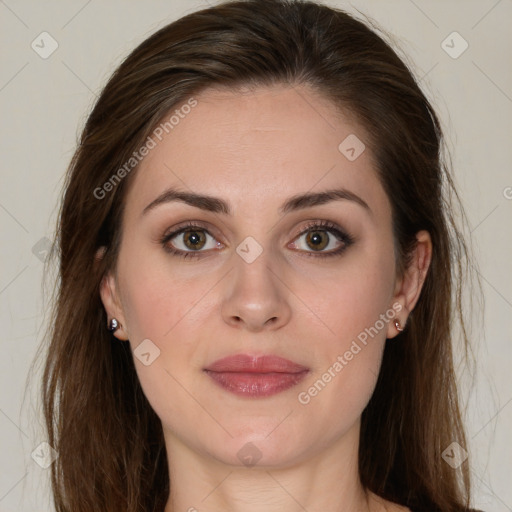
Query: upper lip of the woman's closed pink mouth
(255, 364)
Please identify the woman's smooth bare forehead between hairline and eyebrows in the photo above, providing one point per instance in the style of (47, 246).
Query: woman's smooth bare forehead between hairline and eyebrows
(255, 148)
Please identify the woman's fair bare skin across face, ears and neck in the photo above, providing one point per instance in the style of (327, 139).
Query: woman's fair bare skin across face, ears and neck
(255, 149)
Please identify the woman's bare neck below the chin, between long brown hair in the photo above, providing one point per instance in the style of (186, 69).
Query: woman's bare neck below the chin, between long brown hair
(327, 480)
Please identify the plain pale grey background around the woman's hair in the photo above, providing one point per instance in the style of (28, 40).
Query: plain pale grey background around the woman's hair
(45, 101)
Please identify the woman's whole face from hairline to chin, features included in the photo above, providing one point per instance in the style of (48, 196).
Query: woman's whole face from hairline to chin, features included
(314, 283)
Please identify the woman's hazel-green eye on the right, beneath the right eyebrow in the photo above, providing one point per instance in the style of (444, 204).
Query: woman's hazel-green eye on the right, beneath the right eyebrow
(316, 237)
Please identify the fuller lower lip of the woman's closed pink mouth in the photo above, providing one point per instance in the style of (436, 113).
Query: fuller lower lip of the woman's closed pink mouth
(256, 384)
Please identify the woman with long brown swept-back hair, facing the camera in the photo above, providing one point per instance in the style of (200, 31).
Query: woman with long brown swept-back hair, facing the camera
(257, 263)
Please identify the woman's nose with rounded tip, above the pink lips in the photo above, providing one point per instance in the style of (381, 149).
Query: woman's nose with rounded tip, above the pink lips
(256, 297)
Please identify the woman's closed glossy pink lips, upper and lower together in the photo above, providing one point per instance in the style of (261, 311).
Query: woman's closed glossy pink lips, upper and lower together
(256, 376)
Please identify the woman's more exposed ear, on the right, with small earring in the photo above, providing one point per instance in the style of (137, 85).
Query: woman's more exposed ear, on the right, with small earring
(408, 287)
